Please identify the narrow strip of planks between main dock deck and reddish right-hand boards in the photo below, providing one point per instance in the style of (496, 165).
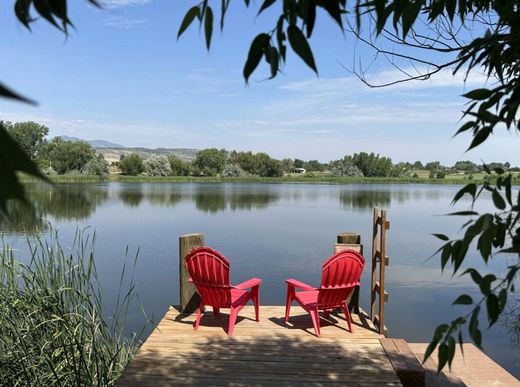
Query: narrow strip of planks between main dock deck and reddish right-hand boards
(407, 366)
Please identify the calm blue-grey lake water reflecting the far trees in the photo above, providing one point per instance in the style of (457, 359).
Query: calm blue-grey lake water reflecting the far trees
(273, 232)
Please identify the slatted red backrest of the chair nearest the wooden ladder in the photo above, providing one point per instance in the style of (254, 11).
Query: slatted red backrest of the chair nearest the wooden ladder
(340, 275)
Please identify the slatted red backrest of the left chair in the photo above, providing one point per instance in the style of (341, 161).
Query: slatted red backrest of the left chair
(209, 271)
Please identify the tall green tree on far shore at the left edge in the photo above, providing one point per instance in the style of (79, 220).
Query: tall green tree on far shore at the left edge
(30, 135)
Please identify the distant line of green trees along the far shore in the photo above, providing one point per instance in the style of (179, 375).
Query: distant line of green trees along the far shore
(57, 156)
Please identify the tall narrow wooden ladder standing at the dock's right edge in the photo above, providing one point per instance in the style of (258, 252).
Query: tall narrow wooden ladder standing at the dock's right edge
(377, 312)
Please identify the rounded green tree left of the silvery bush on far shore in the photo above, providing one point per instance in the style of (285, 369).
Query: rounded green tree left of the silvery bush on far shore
(66, 156)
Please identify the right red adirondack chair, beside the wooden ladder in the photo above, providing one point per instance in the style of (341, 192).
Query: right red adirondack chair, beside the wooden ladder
(340, 275)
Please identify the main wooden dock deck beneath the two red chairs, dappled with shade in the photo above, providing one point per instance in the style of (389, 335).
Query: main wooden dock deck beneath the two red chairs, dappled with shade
(269, 352)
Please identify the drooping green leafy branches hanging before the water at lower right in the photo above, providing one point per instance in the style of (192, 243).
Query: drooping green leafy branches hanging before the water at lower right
(497, 236)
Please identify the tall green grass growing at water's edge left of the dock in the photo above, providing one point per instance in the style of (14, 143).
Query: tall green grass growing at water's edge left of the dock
(52, 328)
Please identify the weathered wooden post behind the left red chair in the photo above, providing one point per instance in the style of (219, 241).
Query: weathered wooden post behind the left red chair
(189, 298)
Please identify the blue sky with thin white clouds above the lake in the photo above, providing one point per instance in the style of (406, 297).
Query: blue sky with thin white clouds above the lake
(123, 76)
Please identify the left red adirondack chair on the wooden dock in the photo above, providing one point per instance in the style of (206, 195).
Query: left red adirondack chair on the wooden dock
(209, 271)
